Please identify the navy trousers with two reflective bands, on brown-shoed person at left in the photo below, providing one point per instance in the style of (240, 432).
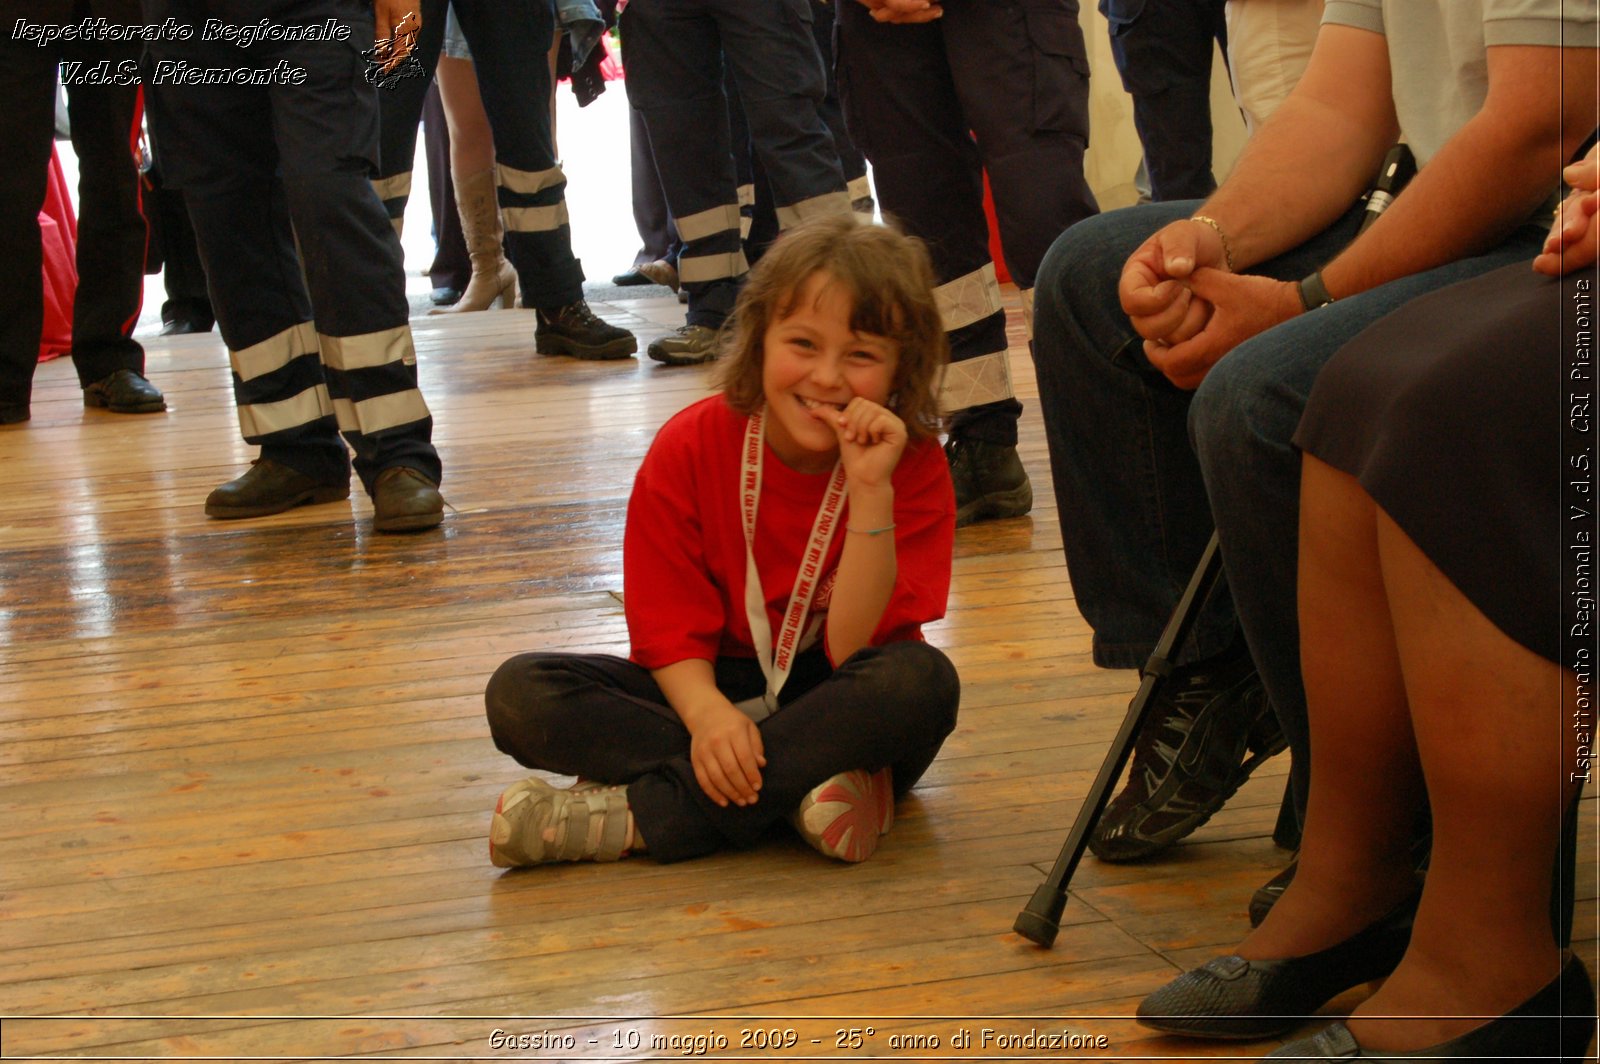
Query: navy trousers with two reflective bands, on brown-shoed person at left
(263, 167)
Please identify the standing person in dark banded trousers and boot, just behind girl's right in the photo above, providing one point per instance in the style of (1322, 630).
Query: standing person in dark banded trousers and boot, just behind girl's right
(937, 95)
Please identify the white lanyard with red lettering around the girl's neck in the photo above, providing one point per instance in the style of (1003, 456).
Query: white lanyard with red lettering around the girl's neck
(778, 662)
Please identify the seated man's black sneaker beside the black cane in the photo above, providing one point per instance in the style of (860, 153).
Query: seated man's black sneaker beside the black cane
(1212, 726)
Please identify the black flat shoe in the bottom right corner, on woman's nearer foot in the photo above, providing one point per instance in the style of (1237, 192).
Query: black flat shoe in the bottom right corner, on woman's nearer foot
(1554, 1025)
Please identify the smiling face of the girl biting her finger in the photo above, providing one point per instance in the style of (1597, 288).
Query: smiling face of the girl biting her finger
(814, 364)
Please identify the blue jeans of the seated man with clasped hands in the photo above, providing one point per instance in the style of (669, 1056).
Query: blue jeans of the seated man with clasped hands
(1145, 471)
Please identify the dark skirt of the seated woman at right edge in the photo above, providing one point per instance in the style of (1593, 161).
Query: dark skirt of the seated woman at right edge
(1454, 415)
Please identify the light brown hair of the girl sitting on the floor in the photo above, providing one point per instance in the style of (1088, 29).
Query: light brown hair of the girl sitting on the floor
(890, 286)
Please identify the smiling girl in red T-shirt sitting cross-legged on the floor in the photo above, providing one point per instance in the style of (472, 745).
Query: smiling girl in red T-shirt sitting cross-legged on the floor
(786, 542)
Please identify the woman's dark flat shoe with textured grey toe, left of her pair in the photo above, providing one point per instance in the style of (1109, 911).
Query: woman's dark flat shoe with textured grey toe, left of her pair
(1231, 998)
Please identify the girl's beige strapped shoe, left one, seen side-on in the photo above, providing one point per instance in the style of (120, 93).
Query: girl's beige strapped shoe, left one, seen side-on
(537, 825)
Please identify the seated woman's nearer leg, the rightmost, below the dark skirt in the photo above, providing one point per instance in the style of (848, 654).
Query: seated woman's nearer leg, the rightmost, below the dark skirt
(1497, 756)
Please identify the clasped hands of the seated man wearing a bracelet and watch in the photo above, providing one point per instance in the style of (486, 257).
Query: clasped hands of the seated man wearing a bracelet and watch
(1190, 310)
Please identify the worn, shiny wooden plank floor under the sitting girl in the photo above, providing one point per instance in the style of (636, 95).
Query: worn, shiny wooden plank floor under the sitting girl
(246, 777)
